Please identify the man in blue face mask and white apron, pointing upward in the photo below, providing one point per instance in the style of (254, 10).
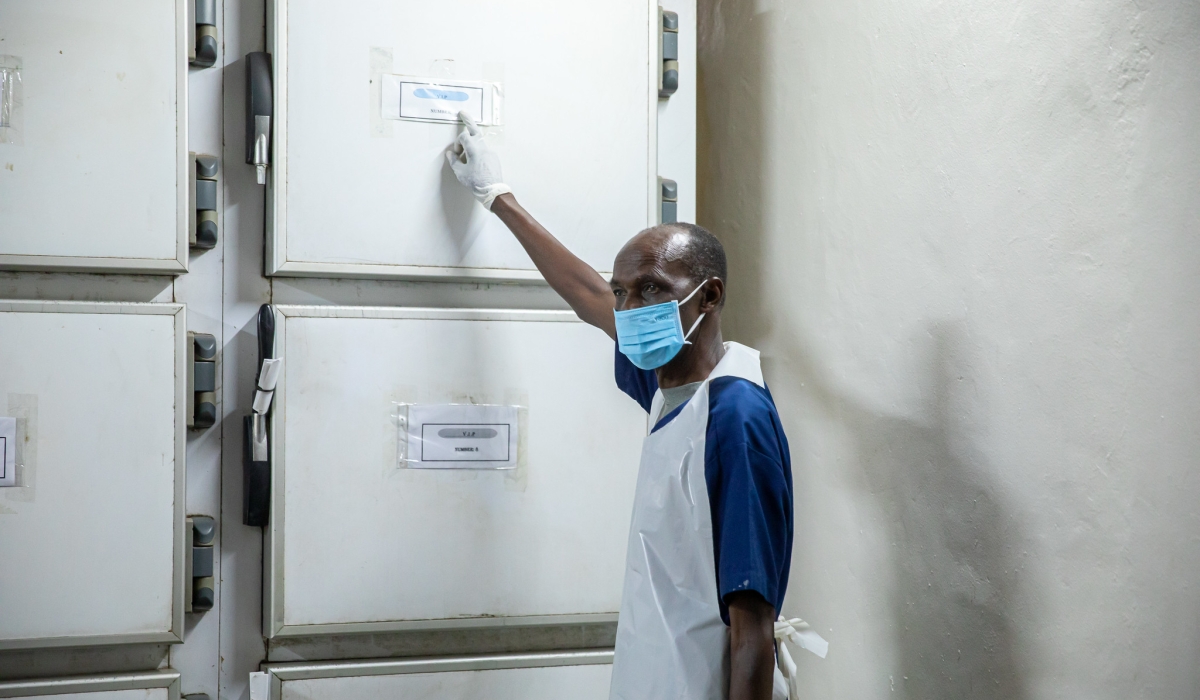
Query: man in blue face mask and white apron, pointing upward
(711, 541)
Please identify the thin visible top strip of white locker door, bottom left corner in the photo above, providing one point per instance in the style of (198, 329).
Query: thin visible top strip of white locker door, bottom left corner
(163, 685)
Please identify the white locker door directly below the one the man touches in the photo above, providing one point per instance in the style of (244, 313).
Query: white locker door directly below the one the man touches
(359, 542)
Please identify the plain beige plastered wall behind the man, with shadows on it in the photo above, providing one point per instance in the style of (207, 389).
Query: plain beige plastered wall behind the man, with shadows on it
(965, 237)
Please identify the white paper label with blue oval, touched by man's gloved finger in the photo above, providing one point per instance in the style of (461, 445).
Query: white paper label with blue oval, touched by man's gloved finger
(437, 100)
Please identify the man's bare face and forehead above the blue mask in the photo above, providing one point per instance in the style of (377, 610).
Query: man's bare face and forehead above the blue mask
(650, 270)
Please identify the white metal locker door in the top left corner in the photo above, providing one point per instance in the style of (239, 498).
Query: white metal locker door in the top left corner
(99, 178)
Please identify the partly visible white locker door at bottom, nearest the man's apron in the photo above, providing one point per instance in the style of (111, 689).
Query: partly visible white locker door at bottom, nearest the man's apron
(551, 677)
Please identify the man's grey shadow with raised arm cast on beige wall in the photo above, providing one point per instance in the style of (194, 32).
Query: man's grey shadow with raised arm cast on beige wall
(956, 571)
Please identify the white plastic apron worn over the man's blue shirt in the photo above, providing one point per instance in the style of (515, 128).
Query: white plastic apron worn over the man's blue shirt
(671, 643)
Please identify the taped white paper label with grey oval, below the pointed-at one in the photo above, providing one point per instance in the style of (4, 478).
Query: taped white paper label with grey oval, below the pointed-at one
(460, 438)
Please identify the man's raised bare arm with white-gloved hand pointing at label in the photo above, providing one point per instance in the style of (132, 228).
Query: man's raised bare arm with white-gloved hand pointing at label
(479, 169)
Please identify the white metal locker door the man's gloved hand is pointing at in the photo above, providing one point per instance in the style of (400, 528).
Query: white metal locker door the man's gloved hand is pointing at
(355, 196)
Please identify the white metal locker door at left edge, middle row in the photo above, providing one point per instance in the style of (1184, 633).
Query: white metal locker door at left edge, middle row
(92, 537)
